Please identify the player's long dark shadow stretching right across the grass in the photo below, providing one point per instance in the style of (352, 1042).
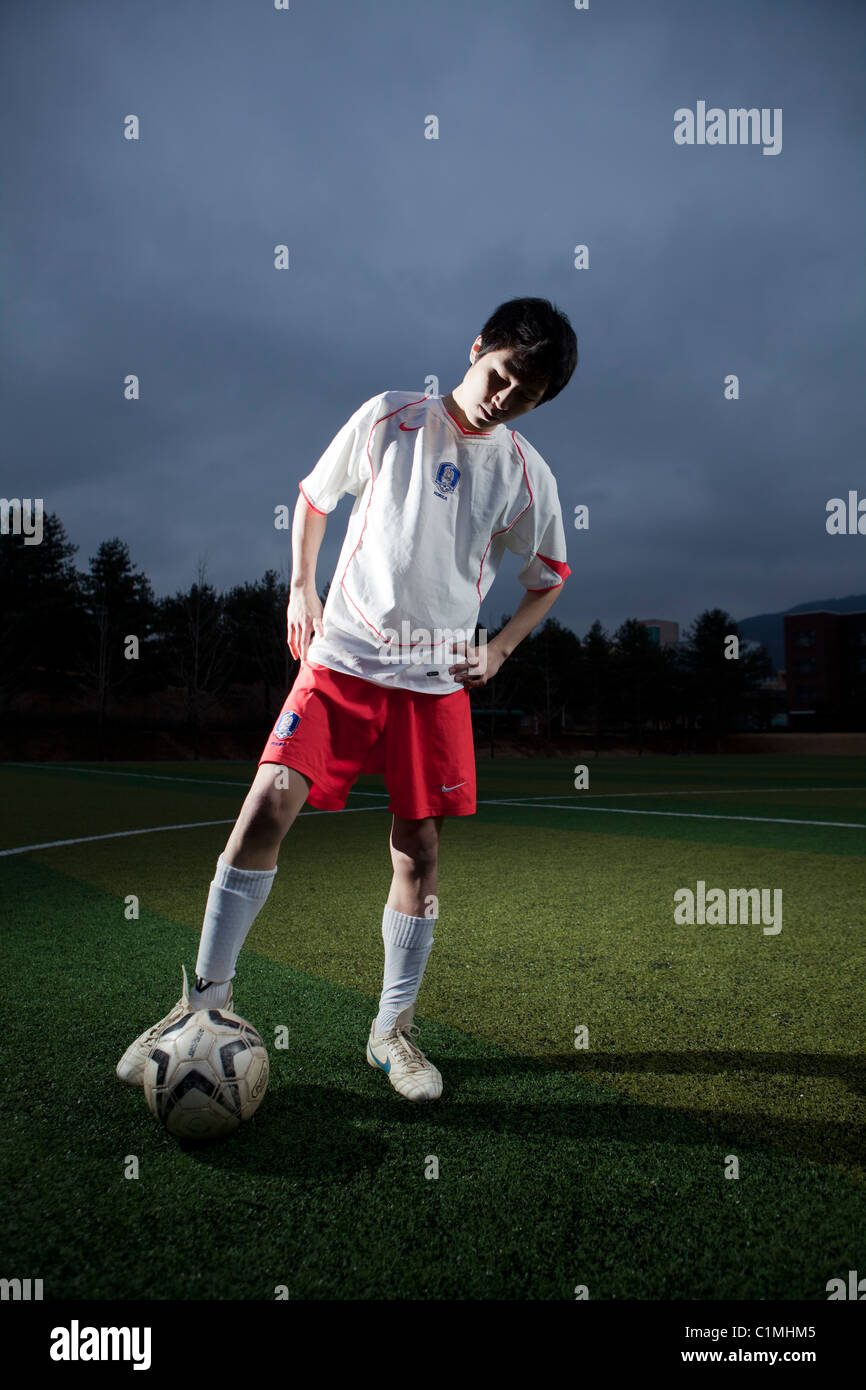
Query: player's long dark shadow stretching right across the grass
(329, 1132)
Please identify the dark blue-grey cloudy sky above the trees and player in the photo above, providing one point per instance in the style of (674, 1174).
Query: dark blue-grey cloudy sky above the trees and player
(307, 127)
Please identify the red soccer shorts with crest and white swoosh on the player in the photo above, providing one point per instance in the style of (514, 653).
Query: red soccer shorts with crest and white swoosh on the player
(334, 728)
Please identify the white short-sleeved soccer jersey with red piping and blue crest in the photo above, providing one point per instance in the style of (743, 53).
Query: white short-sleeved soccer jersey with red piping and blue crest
(437, 508)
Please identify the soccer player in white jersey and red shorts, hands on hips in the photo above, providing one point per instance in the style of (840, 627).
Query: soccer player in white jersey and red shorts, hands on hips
(443, 489)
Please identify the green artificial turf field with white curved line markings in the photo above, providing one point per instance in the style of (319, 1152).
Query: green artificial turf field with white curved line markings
(603, 1167)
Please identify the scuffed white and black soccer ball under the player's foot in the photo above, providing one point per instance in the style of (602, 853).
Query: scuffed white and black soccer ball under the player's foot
(206, 1072)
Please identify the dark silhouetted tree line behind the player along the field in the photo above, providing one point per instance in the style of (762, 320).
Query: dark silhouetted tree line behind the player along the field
(70, 635)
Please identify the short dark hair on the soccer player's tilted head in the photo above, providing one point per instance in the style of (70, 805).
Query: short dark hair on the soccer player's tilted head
(541, 337)
